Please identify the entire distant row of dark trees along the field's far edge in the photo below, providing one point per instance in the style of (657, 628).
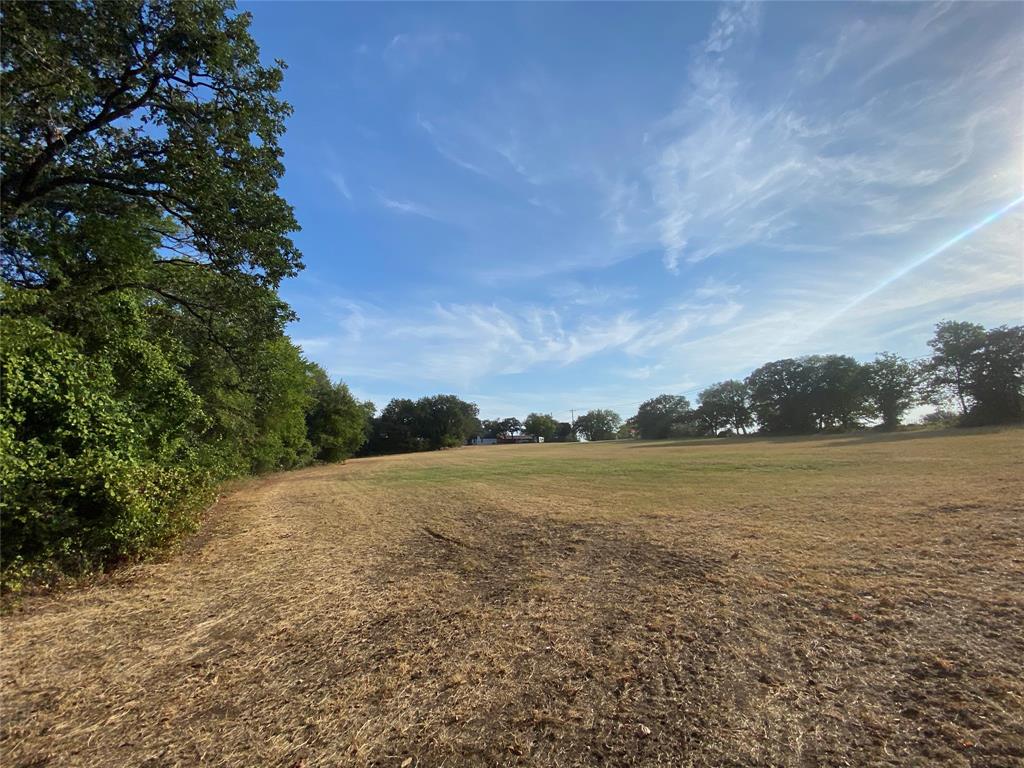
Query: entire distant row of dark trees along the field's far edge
(974, 377)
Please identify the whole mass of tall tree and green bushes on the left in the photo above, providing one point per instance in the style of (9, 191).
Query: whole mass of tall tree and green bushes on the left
(144, 241)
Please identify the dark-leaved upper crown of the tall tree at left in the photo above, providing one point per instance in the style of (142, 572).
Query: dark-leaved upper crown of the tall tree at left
(159, 107)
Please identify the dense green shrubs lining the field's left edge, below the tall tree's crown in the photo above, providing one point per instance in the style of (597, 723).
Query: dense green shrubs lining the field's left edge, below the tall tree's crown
(109, 453)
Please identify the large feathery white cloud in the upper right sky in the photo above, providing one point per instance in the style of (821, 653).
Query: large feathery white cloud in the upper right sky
(730, 174)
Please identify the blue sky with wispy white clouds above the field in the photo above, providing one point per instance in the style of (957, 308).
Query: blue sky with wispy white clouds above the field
(544, 207)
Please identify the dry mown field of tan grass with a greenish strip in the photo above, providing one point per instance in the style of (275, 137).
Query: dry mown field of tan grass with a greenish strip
(843, 601)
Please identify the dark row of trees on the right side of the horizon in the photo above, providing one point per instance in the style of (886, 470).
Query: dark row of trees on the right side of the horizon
(978, 372)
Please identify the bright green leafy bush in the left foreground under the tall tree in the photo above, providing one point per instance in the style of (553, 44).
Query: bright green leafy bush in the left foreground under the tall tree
(83, 481)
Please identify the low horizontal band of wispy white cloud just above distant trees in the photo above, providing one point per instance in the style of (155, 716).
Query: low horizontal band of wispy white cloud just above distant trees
(460, 344)
